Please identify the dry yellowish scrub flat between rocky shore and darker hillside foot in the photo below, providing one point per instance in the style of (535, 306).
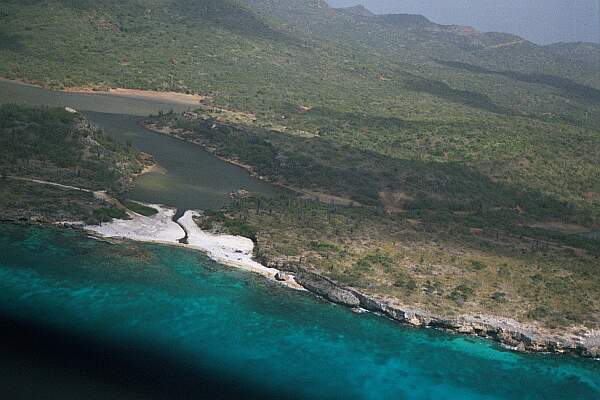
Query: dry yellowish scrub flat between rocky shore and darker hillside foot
(447, 267)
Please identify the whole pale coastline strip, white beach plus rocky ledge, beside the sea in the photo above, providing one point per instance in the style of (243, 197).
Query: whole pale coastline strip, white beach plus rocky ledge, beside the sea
(237, 252)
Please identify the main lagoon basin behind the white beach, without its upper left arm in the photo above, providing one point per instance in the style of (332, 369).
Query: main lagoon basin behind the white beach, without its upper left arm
(190, 177)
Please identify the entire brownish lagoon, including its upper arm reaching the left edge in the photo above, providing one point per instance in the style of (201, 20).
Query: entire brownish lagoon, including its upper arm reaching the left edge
(190, 177)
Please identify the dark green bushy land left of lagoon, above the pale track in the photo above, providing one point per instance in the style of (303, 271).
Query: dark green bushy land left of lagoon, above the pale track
(53, 144)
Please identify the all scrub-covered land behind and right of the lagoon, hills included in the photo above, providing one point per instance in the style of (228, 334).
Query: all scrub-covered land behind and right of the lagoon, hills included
(470, 159)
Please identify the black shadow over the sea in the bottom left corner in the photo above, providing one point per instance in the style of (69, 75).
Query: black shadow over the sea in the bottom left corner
(36, 363)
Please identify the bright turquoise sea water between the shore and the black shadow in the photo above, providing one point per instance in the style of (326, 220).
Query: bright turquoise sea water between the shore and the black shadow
(237, 324)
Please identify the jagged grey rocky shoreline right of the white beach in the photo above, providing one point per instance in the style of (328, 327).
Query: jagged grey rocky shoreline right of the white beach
(512, 334)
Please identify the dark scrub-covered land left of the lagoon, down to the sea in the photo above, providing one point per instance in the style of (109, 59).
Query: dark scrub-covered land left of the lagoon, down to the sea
(53, 145)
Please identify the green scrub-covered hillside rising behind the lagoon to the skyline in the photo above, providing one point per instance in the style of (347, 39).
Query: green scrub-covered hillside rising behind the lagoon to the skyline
(439, 103)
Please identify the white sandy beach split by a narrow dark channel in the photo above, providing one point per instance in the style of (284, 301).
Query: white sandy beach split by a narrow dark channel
(233, 251)
